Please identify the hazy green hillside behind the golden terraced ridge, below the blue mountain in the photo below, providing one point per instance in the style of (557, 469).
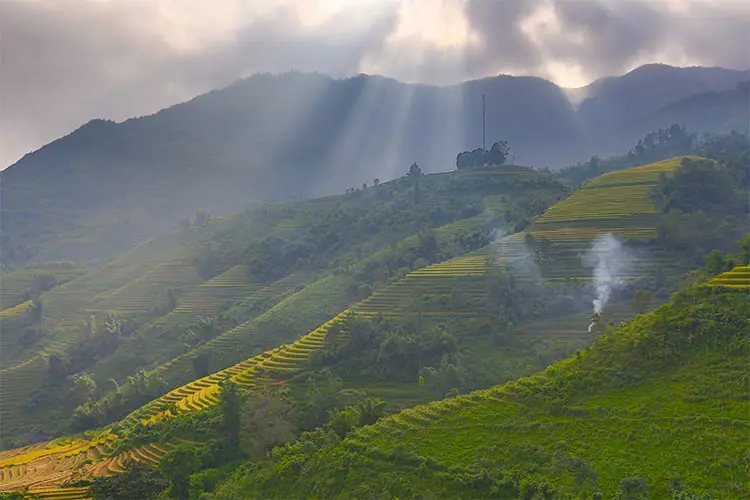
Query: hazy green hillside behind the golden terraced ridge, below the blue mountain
(271, 274)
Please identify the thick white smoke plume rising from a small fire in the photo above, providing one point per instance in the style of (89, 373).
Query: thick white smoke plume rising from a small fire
(610, 261)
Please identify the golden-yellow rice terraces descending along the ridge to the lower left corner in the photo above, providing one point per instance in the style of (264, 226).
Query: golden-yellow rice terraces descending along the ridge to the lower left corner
(41, 467)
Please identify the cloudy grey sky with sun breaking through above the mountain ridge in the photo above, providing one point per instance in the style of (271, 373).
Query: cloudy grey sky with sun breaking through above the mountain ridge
(64, 62)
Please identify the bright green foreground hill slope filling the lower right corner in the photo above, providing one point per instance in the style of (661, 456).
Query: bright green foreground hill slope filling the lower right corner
(662, 397)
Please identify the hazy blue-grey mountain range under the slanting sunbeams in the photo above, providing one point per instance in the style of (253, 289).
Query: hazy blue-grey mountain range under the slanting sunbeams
(107, 186)
